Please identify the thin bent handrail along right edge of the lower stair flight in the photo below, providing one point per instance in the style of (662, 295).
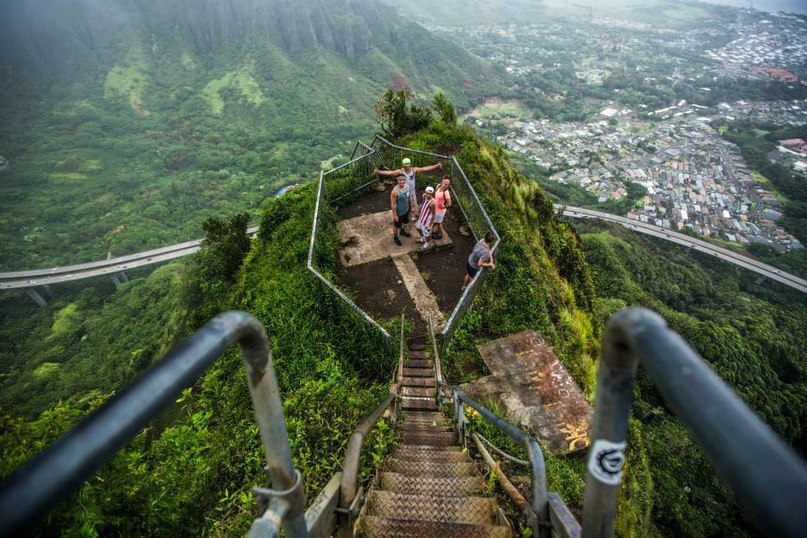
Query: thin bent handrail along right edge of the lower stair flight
(538, 513)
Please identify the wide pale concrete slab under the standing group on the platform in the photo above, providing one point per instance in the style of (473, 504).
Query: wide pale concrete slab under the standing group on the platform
(368, 237)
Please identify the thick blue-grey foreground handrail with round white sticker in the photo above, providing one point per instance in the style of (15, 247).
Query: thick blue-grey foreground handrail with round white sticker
(768, 478)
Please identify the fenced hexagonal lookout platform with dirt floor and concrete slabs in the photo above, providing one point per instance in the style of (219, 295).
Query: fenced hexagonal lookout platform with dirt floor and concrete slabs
(379, 277)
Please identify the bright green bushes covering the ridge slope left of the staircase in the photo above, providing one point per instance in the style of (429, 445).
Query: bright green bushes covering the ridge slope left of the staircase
(192, 472)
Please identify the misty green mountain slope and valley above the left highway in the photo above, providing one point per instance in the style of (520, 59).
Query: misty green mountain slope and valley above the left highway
(127, 123)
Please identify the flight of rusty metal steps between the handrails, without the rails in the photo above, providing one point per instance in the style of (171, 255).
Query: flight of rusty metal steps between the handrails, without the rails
(430, 487)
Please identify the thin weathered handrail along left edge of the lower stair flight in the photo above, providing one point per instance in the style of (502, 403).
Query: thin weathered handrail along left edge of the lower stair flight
(349, 485)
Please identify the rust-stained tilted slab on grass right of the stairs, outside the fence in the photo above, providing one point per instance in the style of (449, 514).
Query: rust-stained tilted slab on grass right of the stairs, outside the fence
(535, 391)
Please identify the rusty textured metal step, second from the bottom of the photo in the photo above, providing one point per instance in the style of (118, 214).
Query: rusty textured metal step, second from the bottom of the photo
(449, 508)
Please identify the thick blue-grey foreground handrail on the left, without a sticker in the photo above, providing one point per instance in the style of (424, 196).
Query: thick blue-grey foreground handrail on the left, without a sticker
(42, 483)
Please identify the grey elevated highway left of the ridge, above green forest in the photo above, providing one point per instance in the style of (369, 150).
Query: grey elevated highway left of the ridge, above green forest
(55, 275)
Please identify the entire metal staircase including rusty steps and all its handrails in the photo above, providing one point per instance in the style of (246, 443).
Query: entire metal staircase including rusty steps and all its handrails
(431, 487)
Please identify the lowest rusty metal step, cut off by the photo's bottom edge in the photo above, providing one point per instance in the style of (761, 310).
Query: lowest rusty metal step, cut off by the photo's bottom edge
(374, 526)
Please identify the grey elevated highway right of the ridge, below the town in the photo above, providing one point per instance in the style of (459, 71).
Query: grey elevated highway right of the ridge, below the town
(768, 271)
